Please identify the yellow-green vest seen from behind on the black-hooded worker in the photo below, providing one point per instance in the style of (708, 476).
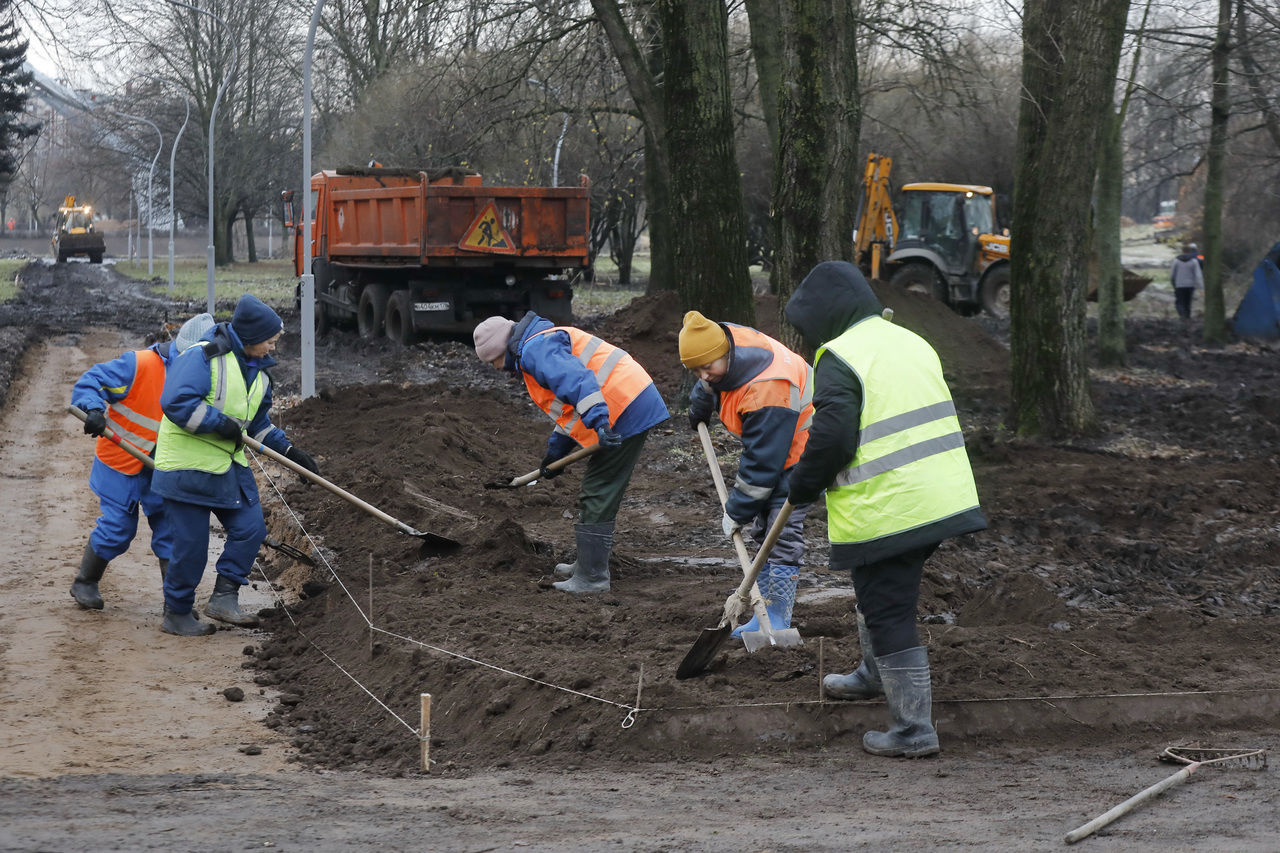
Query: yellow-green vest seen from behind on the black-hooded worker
(911, 468)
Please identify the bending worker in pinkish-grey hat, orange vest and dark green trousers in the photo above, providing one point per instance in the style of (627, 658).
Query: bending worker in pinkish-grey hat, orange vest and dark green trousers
(596, 394)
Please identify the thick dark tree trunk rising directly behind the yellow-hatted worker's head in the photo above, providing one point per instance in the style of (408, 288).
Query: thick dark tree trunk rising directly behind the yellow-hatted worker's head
(706, 193)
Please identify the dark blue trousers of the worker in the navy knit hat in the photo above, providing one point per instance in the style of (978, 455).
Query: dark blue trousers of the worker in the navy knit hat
(245, 533)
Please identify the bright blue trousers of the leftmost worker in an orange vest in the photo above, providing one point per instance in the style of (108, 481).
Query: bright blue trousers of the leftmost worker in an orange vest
(120, 498)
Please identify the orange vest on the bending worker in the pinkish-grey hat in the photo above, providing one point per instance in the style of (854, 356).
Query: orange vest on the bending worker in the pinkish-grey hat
(621, 380)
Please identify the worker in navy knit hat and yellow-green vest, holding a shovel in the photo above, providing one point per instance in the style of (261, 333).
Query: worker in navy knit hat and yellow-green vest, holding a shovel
(214, 394)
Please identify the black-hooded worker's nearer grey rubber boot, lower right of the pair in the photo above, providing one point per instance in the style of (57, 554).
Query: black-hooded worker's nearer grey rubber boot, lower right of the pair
(906, 677)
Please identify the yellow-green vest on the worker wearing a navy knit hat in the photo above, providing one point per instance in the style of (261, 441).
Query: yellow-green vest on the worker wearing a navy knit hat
(184, 450)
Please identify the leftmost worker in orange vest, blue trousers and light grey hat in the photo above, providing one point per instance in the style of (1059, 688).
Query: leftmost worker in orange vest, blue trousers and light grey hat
(125, 395)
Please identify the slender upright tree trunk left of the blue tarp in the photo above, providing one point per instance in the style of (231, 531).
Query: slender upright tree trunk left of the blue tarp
(1215, 179)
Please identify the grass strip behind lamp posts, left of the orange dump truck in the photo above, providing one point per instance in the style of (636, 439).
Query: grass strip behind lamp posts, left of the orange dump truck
(272, 281)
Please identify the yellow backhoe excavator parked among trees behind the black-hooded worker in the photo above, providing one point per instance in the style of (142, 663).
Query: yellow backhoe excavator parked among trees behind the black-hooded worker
(944, 244)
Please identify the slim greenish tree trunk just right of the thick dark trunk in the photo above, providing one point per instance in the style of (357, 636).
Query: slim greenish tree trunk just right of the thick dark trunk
(1107, 234)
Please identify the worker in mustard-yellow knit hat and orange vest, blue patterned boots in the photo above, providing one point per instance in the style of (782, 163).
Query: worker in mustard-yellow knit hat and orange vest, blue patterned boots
(764, 393)
